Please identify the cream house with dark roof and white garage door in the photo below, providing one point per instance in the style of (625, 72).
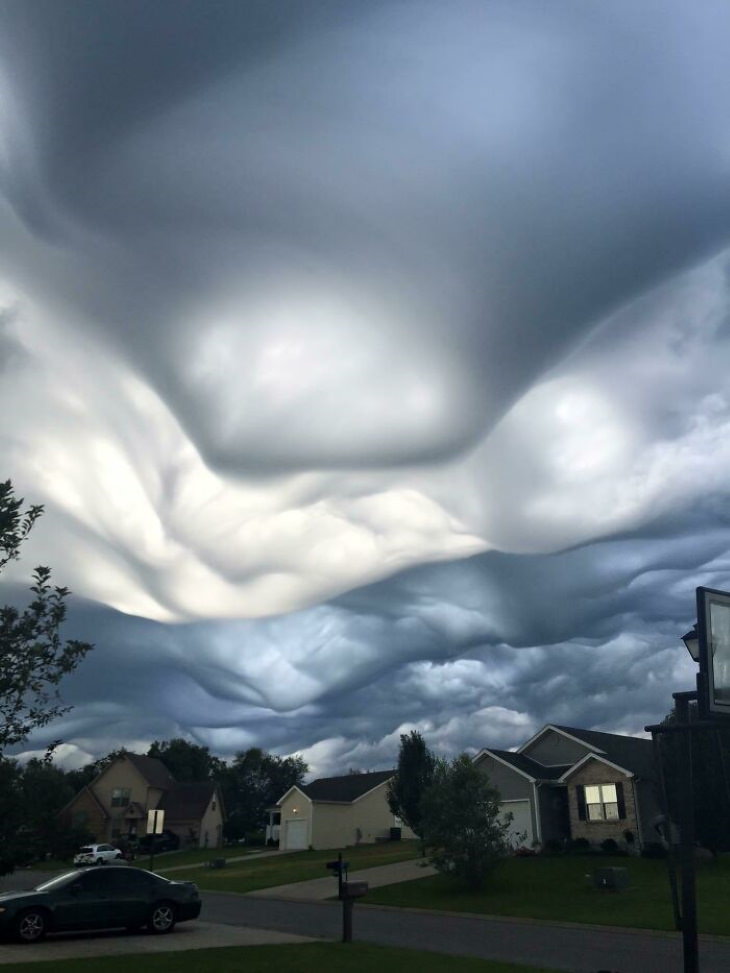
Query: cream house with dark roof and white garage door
(334, 812)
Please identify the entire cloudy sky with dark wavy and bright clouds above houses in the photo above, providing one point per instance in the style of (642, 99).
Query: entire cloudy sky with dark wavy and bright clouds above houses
(371, 361)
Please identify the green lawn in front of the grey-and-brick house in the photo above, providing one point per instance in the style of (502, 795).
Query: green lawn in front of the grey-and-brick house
(559, 888)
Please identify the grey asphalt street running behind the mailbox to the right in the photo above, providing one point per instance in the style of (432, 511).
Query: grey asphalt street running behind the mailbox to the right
(580, 949)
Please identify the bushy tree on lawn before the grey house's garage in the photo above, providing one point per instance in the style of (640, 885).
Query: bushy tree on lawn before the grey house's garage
(462, 826)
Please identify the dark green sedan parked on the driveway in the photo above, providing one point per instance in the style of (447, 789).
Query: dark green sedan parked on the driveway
(100, 899)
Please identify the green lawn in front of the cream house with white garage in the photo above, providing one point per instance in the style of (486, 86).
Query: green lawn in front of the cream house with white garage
(299, 866)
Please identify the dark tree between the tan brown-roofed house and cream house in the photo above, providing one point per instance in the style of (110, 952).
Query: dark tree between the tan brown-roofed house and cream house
(253, 782)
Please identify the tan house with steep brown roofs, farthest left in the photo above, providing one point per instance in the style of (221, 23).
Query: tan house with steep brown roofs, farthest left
(115, 804)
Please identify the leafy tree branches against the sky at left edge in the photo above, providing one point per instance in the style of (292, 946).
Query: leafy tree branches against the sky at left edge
(33, 658)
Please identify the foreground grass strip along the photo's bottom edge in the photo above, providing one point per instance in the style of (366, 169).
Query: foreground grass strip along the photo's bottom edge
(306, 958)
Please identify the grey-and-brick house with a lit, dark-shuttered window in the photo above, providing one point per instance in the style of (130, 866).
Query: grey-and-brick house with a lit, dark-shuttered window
(568, 783)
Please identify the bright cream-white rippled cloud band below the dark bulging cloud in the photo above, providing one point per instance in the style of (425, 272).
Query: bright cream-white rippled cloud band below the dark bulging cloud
(158, 533)
